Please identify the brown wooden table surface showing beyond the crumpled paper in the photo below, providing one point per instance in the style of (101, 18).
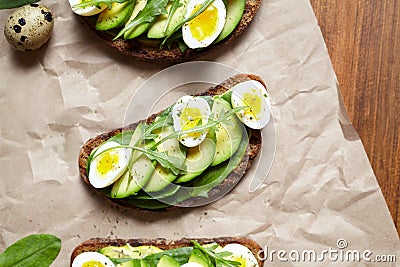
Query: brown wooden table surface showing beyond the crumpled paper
(363, 39)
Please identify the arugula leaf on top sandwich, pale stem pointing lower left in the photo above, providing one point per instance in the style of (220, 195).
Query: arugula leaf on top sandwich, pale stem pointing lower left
(152, 9)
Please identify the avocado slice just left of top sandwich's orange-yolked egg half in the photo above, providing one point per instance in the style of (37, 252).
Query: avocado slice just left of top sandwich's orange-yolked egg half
(159, 29)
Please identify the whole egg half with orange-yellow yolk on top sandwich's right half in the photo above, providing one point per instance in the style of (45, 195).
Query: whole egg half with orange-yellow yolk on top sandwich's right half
(205, 28)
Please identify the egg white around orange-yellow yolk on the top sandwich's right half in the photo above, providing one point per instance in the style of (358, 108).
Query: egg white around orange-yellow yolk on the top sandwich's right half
(188, 37)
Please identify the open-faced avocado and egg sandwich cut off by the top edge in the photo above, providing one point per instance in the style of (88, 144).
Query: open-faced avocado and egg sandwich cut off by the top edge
(166, 30)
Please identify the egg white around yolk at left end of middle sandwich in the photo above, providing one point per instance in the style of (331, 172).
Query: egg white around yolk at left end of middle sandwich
(99, 180)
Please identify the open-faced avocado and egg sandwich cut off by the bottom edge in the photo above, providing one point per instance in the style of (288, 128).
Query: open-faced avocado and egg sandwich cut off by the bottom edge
(205, 252)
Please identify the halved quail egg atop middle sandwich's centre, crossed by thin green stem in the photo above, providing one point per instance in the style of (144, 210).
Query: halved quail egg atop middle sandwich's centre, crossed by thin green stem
(188, 113)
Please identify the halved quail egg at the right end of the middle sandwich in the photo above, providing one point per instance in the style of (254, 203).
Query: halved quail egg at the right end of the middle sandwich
(253, 95)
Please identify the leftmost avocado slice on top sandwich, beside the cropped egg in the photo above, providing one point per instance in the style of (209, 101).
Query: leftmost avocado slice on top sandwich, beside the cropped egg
(114, 17)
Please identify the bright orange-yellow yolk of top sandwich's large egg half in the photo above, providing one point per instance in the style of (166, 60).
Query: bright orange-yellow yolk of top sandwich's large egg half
(205, 24)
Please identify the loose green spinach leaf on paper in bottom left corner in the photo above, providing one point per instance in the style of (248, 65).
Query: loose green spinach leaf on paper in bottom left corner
(38, 250)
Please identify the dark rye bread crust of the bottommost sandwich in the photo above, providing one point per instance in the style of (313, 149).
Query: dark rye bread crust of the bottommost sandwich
(95, 244)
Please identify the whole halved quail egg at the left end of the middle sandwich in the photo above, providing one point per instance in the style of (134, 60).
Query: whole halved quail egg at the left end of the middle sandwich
(109, 163)
